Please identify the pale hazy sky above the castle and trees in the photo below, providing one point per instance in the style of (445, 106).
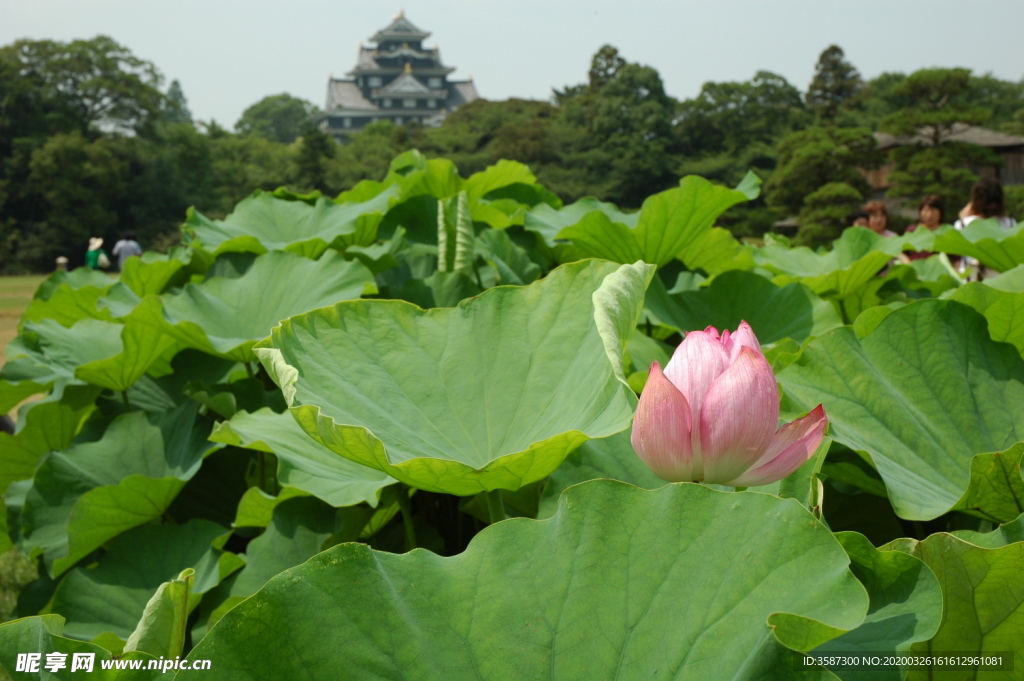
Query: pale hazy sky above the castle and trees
(229, 55)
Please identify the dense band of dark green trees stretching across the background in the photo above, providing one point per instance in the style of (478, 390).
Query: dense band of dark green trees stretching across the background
(92, 144)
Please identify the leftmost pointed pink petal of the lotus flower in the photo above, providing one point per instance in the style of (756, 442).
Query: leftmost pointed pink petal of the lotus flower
(662, 430)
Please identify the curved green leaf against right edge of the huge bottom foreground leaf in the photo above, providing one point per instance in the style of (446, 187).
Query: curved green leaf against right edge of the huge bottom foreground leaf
(907, 608)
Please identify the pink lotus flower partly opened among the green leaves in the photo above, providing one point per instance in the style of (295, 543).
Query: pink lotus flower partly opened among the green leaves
(712, 415)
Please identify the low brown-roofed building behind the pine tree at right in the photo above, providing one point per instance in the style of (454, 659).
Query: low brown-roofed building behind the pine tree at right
(1011, 148)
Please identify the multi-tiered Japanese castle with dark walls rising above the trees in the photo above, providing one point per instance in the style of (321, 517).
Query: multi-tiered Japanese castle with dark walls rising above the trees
(397, 79)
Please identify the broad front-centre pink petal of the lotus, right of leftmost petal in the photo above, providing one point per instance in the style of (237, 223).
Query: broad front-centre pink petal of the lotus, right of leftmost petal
(739, 417)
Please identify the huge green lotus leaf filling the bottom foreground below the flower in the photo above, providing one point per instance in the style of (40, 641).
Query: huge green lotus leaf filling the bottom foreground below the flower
(684, 582)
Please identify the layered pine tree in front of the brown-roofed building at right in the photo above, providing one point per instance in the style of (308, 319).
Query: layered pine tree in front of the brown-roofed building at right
(929, 162)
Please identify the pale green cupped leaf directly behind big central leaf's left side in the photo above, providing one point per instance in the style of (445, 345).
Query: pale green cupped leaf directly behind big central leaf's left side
(226, 316)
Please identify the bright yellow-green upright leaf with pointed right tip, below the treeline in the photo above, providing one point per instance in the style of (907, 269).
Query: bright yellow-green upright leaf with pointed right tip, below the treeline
(667, 225)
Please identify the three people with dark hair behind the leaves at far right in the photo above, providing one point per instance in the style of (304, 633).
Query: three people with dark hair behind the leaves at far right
(988, 202)
